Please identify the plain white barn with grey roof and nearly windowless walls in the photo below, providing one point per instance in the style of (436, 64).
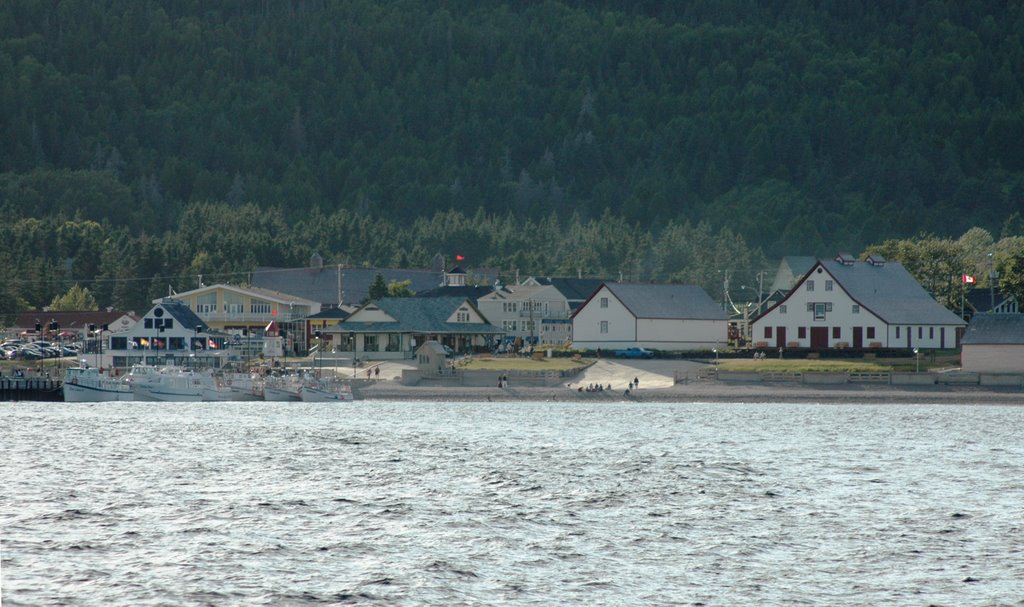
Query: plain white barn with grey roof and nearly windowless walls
(656, 317)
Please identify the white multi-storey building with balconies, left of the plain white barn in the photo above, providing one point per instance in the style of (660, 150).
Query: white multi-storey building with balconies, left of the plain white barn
(539, 315)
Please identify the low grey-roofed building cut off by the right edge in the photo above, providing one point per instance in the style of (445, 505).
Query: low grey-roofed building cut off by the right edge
(994, 343)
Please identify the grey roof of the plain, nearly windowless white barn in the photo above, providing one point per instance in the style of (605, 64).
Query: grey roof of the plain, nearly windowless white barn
(667, 301)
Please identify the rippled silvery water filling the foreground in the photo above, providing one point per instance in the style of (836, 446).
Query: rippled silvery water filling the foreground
(523, 504)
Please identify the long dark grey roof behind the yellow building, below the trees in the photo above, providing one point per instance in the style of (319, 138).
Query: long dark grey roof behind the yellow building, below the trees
(321, 285)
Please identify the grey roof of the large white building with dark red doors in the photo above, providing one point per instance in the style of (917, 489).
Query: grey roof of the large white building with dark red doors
(890, 293)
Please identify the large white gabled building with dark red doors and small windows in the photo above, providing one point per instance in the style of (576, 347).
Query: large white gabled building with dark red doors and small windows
(845, 303)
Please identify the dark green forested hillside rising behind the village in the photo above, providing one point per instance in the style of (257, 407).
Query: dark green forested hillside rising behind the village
(145, 142)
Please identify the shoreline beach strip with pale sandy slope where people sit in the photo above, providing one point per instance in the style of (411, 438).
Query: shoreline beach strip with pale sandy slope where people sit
(657, 380)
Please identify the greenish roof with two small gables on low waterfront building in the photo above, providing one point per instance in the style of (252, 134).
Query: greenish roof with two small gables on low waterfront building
(418, 315)
